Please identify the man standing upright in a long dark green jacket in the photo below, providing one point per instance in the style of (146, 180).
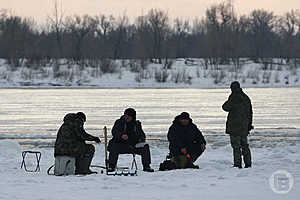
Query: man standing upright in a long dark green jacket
(239, 123)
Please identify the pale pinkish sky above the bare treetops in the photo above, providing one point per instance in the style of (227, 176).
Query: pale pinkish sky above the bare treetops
(40, 9)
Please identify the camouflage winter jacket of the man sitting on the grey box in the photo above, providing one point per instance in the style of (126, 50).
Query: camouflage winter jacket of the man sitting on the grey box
(71, 137)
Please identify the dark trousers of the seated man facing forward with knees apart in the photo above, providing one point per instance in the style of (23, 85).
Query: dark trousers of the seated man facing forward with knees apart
(120, 148)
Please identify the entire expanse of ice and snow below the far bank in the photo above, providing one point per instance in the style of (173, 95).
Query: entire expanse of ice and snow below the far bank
(32, 117)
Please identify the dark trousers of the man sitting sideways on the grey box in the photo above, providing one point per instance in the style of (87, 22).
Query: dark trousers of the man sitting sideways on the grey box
(84, 161)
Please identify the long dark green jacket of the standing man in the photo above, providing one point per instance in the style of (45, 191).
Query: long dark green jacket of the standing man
(240, 114)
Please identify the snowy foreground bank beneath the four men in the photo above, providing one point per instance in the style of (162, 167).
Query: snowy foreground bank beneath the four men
(215, 179)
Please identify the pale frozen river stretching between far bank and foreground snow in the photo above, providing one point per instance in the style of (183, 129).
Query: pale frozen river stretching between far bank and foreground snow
(33, 115)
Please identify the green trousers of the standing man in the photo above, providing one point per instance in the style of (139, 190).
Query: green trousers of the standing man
(240, 147)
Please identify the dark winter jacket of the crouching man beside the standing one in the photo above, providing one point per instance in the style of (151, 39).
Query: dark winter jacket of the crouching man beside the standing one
(180, 136)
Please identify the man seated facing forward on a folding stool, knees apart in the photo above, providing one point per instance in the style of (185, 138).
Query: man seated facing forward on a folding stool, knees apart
(128, 138)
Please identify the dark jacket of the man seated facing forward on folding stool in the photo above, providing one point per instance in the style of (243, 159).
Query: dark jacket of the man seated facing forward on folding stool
(133, 129)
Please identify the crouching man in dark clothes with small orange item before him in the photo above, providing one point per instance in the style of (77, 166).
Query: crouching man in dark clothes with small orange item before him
(186, 141)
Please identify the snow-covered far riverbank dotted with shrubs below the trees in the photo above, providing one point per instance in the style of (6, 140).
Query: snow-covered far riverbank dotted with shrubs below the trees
(181, 73)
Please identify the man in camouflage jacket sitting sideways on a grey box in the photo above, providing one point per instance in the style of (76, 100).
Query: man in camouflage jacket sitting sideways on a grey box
(71, 139)
